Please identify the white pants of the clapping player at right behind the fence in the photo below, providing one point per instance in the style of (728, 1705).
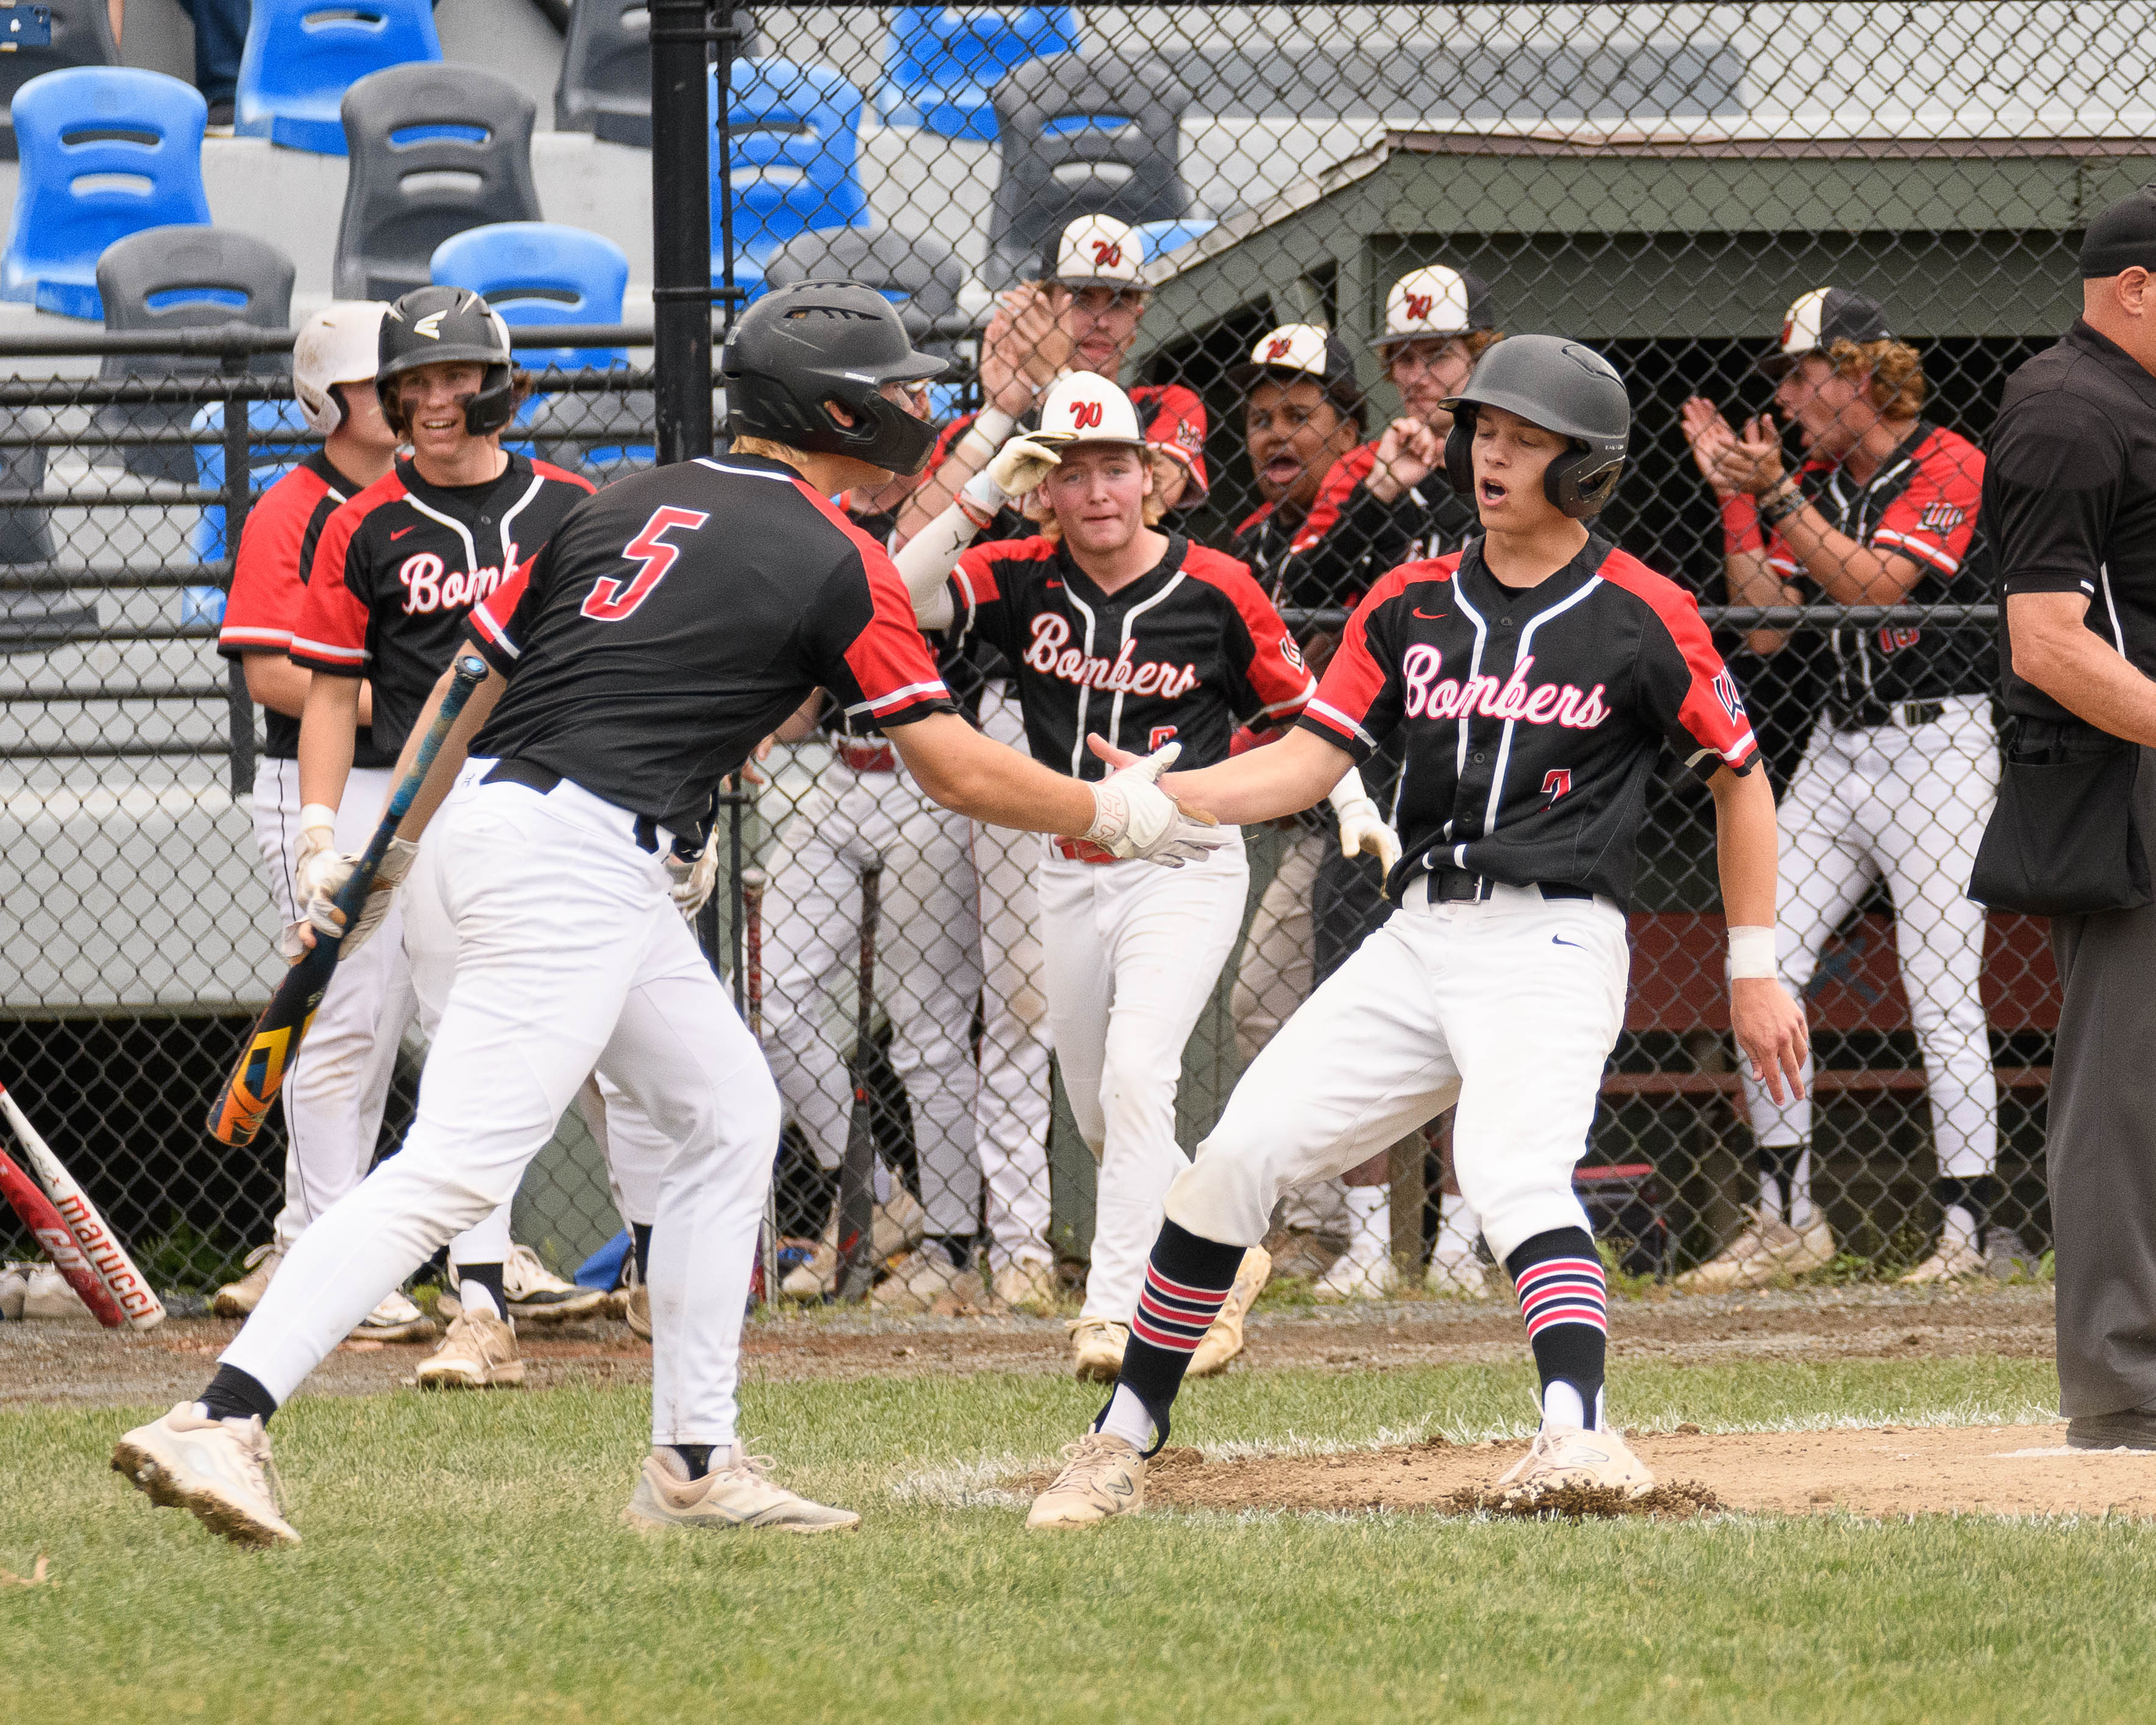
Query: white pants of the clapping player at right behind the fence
(1905, 805)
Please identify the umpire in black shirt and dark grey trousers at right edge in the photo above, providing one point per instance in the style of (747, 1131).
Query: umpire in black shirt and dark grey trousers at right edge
(2071, 508)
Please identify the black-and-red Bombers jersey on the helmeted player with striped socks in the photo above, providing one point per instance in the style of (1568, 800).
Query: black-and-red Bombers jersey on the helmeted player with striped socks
(1532, 717)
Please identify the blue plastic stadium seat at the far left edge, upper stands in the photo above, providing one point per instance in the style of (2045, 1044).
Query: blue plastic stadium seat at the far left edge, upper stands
(107, 152)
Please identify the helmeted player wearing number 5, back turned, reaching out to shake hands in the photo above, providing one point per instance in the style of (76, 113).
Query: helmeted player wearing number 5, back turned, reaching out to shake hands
(665, 631)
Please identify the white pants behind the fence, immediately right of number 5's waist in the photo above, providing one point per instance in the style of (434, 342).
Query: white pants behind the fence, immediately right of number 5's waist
(928, 971)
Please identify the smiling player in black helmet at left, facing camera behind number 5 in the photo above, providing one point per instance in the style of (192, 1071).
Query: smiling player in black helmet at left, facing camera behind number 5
(396, 575)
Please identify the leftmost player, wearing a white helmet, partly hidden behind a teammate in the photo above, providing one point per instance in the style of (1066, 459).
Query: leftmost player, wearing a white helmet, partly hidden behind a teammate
(335, 1092)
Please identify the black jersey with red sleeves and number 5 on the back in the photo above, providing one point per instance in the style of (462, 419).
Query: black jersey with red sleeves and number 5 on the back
(678, 618)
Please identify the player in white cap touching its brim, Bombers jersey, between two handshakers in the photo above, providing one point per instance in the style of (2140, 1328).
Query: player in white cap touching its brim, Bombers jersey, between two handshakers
(1116, 626)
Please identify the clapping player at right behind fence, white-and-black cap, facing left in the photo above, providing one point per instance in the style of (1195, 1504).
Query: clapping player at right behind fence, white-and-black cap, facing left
(1903, 769)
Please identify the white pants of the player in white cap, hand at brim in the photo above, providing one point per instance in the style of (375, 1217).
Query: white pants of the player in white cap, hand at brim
(1133, 954)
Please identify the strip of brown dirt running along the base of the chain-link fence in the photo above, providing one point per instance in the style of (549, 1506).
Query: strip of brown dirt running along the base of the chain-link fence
(79, 1364)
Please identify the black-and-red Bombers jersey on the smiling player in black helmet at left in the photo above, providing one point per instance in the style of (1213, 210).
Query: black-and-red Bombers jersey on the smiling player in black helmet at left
(402, 566)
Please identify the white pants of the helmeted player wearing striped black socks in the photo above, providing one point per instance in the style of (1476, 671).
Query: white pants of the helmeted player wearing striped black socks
(1510, 1008)
